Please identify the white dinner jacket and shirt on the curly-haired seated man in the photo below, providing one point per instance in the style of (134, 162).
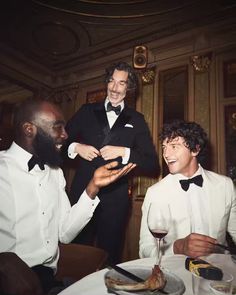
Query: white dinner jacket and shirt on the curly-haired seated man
(191, 211)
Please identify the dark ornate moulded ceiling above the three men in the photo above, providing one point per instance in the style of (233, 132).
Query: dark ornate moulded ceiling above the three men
(58, 36)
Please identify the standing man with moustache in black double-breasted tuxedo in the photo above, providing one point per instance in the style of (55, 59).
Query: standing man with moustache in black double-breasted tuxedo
(101, 132)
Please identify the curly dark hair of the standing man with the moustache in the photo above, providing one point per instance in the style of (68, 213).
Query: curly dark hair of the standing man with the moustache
(123, 66)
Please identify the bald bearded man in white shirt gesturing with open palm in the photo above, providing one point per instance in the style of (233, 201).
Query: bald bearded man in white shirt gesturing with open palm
(35, 213)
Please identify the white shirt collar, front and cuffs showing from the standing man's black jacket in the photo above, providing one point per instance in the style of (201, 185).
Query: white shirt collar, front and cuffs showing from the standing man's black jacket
(111, 117)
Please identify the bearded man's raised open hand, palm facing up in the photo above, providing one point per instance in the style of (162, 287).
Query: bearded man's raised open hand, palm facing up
(104, 176)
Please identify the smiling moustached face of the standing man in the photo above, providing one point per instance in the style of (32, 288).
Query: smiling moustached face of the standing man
(117, 87)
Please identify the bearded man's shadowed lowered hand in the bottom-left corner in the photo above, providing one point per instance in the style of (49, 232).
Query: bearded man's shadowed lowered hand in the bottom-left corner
(16, 277)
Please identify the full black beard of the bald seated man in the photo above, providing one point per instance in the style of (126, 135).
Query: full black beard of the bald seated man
(45, 149)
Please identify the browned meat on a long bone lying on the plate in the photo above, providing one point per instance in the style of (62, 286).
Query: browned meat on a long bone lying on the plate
(156, 281)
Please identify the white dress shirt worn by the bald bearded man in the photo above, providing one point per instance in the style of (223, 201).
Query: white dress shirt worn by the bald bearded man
(35, 212)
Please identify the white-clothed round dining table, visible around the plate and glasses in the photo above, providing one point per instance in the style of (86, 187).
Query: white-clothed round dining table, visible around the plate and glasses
(93, 284)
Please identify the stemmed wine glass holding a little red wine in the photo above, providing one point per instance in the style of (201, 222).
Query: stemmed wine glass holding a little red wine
(158, 220)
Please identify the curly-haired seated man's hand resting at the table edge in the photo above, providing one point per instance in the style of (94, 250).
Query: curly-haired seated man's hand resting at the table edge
(195, 245)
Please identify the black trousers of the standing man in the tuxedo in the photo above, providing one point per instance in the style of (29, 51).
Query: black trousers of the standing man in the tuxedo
(106, 229)
